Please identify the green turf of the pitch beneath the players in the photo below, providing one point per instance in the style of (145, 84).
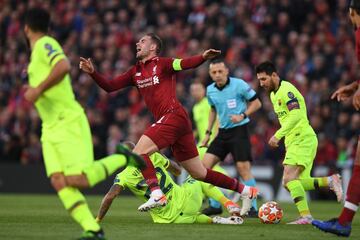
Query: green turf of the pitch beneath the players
(43, 217)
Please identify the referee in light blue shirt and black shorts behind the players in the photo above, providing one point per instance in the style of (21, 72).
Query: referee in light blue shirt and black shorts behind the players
(233, 100)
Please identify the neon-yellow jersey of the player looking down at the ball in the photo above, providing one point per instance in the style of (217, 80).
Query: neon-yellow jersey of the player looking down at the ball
(290, 108)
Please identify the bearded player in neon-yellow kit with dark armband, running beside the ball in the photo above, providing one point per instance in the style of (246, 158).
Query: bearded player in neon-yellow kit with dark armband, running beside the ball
(300, 141)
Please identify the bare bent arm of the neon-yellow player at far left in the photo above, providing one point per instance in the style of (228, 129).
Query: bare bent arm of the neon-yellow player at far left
(56, 75)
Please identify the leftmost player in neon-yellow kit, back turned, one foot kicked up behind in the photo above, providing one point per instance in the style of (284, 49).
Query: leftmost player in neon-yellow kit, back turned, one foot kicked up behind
(66, 137)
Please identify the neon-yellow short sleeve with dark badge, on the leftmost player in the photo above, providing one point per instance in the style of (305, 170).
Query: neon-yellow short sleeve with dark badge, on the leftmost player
(51, 52)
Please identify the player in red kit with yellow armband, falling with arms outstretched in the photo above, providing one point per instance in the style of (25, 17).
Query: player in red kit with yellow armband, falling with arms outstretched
(155, 78)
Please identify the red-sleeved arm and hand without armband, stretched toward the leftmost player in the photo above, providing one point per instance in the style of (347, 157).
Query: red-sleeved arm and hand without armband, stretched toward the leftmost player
(109, 85)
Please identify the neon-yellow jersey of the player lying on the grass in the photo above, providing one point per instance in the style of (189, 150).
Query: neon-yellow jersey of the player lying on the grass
(132, 179)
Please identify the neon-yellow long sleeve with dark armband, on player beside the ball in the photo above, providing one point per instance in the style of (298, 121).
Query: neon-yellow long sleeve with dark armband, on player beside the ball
(290, 96)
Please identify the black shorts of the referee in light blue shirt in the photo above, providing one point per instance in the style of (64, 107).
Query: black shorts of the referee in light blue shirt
(232, 140)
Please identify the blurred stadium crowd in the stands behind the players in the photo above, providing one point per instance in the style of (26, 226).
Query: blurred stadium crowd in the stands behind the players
(311, 43)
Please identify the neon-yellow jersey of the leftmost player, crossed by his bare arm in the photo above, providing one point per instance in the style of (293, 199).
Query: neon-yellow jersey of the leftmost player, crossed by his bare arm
(59, 100)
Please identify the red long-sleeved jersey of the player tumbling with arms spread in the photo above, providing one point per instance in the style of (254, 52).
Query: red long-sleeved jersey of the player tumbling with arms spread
(156, 81)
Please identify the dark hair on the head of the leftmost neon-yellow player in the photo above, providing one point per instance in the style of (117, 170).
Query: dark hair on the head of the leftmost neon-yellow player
(38, 20)
